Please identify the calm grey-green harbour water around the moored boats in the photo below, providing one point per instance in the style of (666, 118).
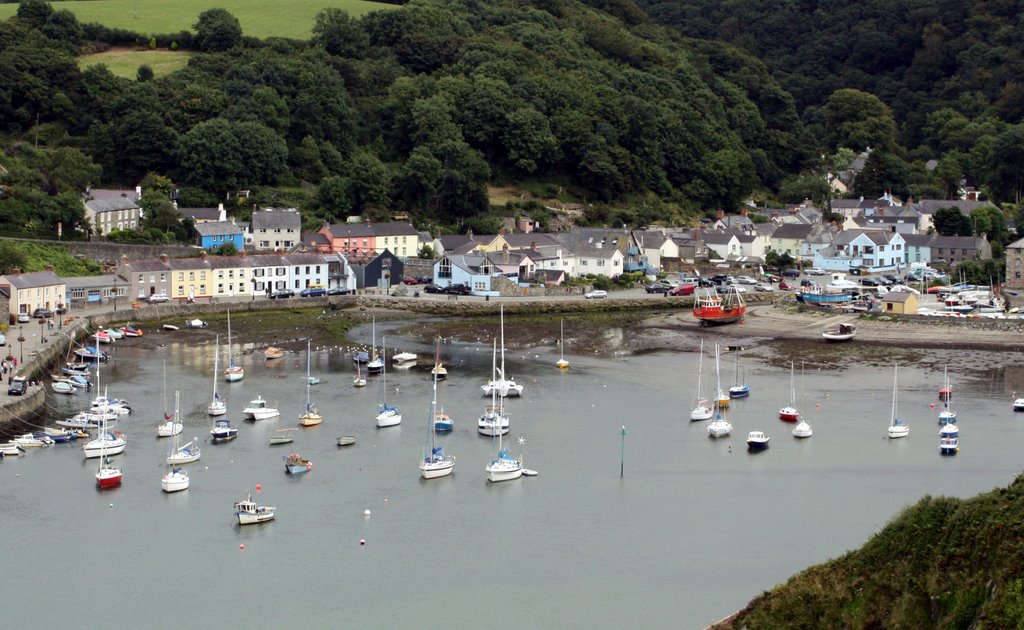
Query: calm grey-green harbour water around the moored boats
(690, 534)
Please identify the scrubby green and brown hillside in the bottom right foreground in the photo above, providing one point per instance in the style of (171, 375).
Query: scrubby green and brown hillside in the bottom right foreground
(943, 564)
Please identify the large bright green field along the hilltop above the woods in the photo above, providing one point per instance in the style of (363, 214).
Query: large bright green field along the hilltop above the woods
(293, 19)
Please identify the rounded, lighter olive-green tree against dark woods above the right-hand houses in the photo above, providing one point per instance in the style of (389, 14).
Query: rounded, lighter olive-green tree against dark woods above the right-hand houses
(859, 120)
